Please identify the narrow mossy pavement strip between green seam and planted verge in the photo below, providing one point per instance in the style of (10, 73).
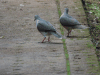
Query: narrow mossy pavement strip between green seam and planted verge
(82, 57)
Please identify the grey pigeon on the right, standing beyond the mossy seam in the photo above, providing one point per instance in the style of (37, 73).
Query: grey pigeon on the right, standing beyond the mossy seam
(69, 23)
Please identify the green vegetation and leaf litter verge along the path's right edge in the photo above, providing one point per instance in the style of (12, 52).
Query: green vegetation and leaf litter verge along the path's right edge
(93, 15)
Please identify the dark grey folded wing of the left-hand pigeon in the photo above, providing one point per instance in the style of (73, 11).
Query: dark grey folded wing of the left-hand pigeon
(45, 27)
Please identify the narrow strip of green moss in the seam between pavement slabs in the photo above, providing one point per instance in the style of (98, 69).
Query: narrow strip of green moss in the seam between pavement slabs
(63, 40)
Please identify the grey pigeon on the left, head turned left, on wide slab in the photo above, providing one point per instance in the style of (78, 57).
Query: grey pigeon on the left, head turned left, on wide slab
(46, 28)
